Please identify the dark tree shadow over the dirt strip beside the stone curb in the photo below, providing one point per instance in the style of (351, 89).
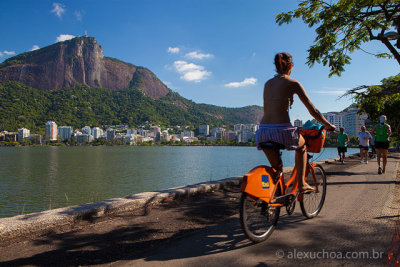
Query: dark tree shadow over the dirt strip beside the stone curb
(143, 233)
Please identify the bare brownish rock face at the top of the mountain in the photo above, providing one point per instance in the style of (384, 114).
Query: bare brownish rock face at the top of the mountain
(78, 61)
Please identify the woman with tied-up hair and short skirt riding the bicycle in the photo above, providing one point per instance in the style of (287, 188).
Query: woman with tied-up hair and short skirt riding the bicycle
(275, 125)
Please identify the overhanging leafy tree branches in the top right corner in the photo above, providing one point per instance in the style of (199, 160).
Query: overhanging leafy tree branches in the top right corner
(343, 25)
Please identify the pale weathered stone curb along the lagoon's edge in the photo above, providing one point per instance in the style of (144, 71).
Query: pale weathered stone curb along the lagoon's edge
(27, 226)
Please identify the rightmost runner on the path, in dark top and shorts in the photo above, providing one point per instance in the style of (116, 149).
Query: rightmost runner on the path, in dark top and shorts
(382, 132)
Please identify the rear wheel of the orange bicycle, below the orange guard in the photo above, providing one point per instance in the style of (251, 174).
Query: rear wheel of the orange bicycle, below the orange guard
(258, 220)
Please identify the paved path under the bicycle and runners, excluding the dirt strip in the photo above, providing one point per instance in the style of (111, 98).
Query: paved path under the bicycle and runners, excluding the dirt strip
(356, 224)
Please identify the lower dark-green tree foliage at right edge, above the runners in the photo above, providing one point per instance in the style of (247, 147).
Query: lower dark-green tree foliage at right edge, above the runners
(380, 100)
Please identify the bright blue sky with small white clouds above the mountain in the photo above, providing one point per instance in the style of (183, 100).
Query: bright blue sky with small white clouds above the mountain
(216, 52)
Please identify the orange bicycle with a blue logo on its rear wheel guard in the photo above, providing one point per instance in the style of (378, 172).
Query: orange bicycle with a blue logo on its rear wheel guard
(265, 192)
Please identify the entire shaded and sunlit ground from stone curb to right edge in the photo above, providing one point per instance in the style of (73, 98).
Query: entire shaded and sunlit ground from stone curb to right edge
(355, 225)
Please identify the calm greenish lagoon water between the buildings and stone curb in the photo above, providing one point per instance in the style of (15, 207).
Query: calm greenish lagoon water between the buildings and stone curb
(39, 178)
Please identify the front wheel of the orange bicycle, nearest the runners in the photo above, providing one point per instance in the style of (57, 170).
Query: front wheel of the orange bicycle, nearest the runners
(312, 203)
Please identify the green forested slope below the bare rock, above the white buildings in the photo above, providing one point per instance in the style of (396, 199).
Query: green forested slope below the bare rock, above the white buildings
(77, 106)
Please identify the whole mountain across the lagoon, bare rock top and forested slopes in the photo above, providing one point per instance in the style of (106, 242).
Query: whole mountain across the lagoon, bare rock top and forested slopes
(73, 83)
